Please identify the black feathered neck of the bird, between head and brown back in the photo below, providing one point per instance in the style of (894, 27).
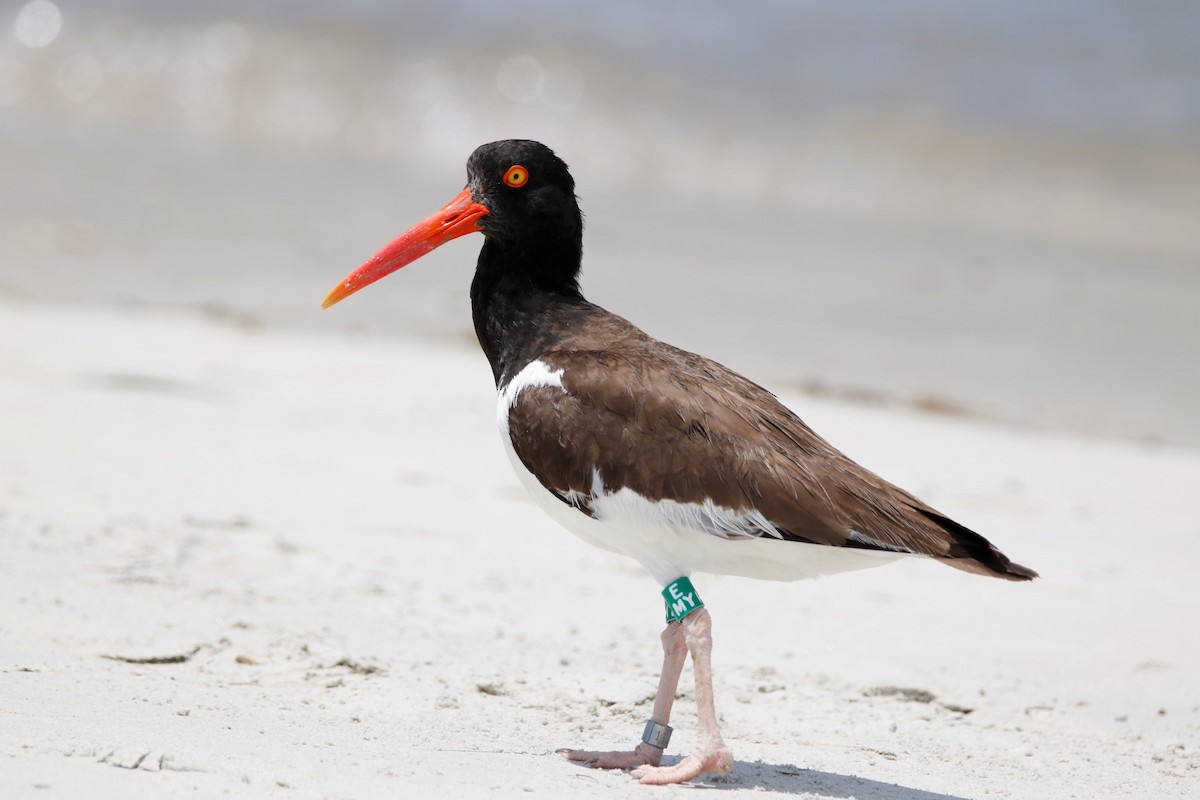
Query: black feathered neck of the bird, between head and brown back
(523, 302)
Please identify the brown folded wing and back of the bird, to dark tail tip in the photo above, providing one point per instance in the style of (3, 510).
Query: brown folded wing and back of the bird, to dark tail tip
(673, 425)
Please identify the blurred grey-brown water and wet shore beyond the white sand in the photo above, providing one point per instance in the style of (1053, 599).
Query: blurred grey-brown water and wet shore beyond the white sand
(983, 208)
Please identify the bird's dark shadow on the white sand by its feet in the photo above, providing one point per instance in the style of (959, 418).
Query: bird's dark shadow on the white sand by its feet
(795, 780)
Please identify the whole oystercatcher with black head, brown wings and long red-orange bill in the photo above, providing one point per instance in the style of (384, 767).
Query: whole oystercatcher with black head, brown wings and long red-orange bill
(652, 452)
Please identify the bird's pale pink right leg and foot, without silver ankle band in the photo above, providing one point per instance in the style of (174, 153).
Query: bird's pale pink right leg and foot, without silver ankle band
(711, 754)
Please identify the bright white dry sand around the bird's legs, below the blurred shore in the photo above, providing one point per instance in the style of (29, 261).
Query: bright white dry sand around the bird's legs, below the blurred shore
(364, 603)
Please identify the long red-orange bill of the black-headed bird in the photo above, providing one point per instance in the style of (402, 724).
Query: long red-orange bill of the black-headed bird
(459, 218)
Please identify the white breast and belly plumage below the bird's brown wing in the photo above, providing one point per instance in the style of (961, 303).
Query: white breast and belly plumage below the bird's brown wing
(674, 539)
